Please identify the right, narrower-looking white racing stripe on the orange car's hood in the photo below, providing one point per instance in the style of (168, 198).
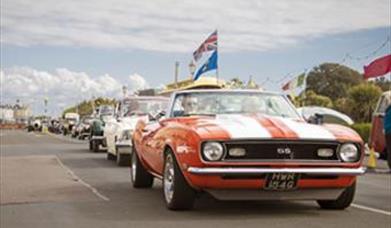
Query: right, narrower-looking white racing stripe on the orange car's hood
(308, 131)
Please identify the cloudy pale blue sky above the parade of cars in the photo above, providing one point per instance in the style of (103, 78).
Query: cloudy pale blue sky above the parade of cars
(69, 51)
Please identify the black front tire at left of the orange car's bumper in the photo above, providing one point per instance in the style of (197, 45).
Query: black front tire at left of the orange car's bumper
(183, 195)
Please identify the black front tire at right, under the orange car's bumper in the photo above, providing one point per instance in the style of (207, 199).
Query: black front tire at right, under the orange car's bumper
(342, 202)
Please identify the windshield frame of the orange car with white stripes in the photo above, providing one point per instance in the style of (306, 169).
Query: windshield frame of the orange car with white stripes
(290, 109)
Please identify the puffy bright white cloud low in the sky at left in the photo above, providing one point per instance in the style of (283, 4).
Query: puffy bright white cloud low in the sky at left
(63, 87)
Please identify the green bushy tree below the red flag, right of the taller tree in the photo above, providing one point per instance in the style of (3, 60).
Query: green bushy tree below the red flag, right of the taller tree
(360, 102)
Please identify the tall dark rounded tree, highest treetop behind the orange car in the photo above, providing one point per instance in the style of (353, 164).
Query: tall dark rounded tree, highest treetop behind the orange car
(332, 80)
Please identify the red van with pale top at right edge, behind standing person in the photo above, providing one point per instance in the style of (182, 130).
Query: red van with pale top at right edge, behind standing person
(377, 138)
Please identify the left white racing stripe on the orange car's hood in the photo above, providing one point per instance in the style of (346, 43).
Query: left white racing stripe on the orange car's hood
(241, 127)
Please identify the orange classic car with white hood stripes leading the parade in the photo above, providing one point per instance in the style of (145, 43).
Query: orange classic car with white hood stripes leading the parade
(244, 145)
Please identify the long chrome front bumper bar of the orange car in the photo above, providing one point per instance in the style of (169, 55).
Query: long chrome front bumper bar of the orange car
(247, 171)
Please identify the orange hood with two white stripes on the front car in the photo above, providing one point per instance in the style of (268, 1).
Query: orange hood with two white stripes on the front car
(236, 126)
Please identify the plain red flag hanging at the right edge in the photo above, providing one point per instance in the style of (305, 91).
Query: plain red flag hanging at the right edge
(378, 67)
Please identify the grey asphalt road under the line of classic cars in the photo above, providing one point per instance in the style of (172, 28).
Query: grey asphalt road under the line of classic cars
(102, 195)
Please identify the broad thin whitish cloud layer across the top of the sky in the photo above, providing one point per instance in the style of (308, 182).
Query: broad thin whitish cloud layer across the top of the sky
(179, 26)
